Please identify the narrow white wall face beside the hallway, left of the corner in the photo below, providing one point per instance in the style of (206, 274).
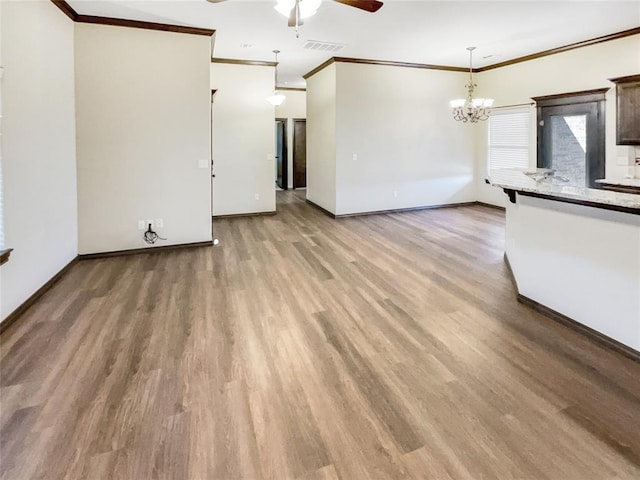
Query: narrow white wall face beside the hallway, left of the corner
(321, 138)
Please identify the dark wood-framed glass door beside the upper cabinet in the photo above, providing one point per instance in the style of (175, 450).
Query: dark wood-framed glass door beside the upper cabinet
(571, 136)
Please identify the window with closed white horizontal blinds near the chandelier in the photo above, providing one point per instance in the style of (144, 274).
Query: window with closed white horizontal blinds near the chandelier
(508, 140)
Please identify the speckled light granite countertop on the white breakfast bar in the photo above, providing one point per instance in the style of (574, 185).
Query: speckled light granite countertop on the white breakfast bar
(517, 180)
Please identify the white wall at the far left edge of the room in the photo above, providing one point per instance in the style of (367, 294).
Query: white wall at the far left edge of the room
(39, 155)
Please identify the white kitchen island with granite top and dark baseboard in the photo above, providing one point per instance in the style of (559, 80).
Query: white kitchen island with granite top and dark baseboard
(575, 253)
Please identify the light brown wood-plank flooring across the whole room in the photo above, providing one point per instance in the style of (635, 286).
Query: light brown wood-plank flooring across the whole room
(302, 347)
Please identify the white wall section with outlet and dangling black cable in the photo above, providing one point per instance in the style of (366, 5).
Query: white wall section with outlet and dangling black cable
(143, 113)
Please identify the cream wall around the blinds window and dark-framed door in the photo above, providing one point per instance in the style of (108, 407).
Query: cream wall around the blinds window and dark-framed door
(576, 70)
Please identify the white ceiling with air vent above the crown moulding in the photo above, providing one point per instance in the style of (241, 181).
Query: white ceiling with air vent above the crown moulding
(434, 32)
